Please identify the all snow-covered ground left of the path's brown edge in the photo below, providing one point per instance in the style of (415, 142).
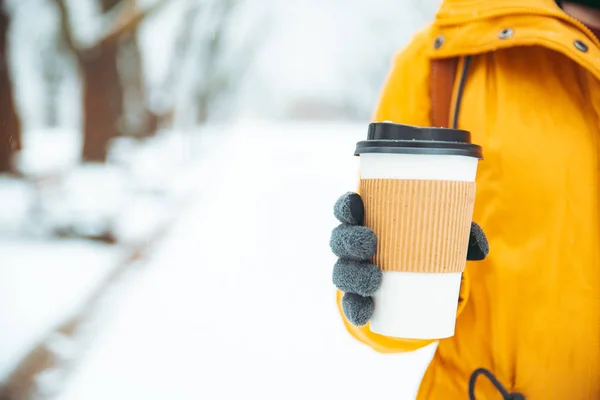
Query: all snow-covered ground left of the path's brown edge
(45, 280)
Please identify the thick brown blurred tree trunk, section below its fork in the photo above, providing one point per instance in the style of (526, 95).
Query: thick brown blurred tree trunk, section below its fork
(102, 100)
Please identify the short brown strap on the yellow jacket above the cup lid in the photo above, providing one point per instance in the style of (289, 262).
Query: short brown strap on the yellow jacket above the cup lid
(443, 73)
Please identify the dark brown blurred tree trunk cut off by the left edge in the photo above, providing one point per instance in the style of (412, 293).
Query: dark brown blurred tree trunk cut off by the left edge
(10, 125)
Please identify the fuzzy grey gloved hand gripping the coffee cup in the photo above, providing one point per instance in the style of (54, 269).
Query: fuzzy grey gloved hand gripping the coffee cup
(355, 245)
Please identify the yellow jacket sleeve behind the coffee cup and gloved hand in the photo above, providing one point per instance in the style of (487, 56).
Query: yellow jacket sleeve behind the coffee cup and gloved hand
(404, 99)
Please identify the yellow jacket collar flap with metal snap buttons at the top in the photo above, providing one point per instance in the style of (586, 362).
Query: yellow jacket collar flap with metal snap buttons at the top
(479, 26)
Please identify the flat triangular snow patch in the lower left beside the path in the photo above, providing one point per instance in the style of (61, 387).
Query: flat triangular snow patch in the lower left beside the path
(41, 284)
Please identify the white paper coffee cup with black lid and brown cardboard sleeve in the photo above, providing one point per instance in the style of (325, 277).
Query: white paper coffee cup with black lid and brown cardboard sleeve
(418, 187)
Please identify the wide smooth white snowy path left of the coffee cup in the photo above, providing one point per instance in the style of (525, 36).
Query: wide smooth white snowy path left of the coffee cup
(238, 303)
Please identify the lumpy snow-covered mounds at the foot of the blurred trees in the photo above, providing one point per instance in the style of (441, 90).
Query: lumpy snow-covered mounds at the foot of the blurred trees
(130, 195)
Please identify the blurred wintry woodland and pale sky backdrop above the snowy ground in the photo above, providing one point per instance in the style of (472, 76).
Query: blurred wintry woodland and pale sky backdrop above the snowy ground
(131, 68)
